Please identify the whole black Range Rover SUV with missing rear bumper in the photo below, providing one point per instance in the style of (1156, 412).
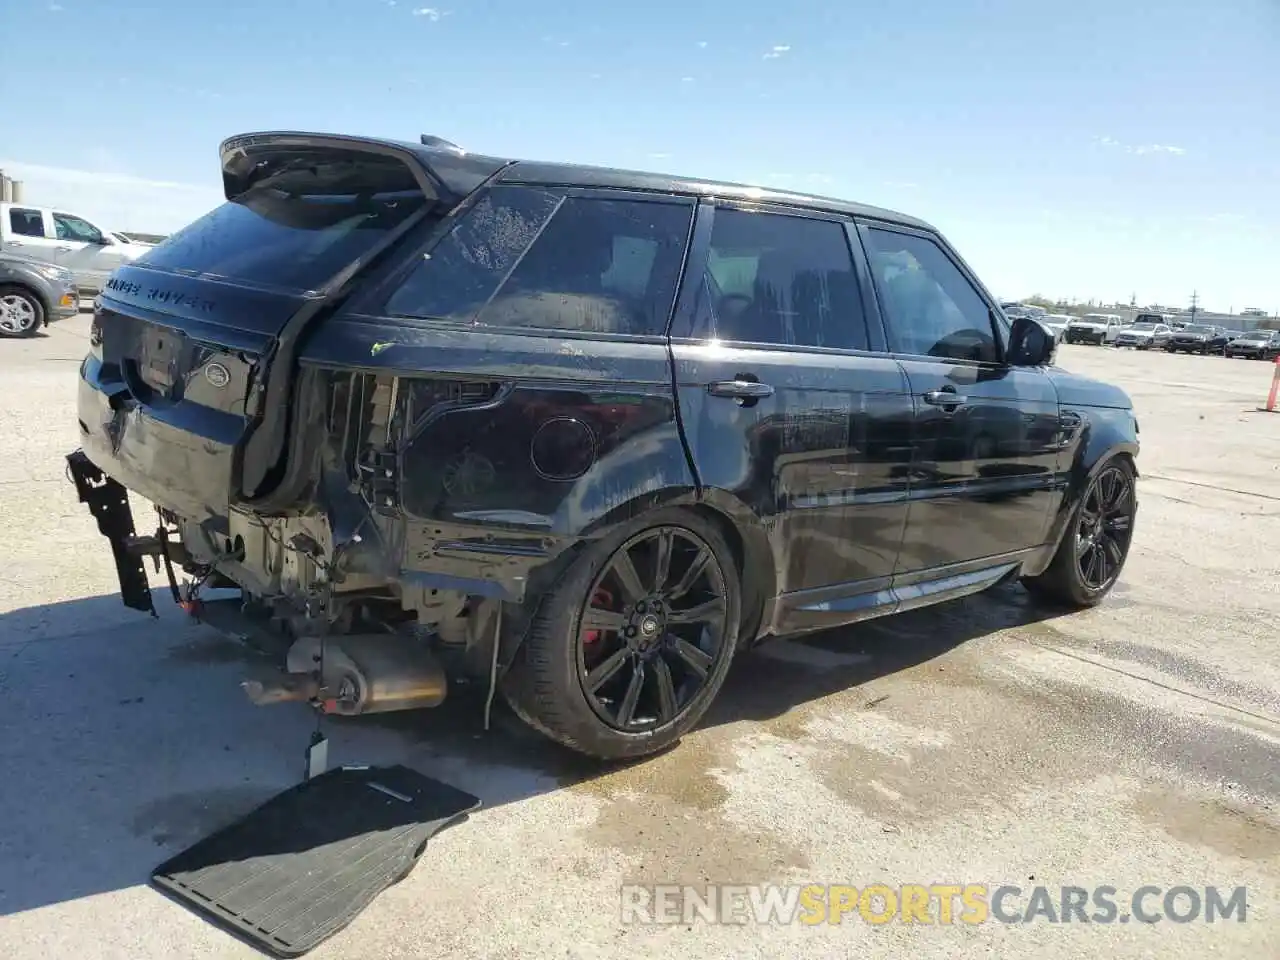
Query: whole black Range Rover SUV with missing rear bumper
(579, 433)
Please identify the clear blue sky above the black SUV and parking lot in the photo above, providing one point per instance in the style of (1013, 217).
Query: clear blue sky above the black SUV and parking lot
(1091, 149)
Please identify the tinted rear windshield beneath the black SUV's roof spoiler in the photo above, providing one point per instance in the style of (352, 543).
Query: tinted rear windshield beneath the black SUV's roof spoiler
(304, 221)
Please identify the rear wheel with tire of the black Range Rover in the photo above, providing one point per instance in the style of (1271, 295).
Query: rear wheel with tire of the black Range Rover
(629, 650)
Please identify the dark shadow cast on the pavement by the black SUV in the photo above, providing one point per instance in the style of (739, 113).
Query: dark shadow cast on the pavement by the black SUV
(126, 739)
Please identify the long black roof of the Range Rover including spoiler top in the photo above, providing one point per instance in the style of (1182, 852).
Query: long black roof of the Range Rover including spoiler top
(463, 172)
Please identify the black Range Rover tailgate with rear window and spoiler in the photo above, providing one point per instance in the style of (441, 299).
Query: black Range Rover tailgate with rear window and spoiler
(191, 345)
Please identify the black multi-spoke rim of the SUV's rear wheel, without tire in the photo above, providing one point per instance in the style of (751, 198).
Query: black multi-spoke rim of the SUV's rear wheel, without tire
(653, 630)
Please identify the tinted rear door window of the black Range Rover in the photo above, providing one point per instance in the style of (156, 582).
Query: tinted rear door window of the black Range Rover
(780, 280)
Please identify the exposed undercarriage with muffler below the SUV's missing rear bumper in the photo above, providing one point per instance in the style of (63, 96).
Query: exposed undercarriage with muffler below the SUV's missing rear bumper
(344, 638)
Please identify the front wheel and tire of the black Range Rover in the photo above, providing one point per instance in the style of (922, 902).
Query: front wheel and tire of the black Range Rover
(1096, 545)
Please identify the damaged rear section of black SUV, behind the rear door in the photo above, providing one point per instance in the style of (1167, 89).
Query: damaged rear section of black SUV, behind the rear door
(362, 391)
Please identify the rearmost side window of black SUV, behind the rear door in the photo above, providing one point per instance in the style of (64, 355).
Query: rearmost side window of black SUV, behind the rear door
(531, 258)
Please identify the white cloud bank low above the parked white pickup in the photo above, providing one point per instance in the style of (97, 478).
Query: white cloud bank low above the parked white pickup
(116, 200)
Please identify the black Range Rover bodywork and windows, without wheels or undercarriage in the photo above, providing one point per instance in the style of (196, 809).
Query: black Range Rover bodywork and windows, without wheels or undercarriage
(404, 420)
